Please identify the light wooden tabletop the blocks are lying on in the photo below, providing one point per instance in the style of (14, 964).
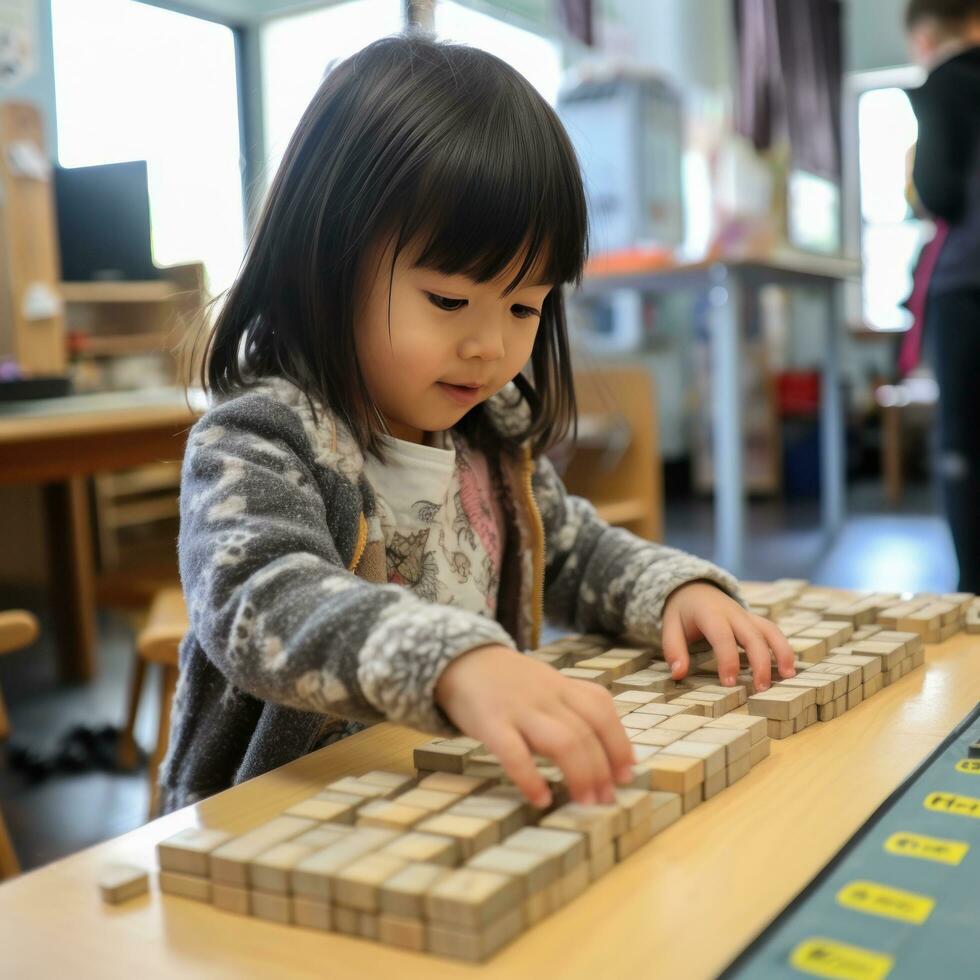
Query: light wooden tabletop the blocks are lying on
(682, 906)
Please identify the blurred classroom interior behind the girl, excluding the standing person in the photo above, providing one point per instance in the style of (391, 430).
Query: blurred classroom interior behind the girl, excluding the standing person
(737, 334)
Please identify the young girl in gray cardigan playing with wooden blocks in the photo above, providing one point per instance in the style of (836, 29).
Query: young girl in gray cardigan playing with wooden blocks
(370, 529)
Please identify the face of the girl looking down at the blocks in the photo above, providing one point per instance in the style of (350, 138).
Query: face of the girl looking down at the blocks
(452, 342)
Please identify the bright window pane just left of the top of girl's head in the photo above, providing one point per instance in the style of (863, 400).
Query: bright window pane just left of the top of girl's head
(298, 50)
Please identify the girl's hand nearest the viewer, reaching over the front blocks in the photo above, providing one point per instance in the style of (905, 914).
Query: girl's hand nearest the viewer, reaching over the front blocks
(519, 707)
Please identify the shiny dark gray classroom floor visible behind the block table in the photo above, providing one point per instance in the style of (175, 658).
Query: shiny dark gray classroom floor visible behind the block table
(905, 548)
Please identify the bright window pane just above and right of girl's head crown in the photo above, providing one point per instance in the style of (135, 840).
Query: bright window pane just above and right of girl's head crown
(535, 57)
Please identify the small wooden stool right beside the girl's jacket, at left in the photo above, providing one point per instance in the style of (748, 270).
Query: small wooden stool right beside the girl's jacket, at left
(159, 643)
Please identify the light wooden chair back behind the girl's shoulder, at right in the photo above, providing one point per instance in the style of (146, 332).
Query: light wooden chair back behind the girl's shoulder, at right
(616, 461)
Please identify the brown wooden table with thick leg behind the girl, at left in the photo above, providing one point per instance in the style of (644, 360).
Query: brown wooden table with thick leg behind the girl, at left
(59, 442)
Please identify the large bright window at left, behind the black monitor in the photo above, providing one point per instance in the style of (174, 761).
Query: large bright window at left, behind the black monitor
(135, 82)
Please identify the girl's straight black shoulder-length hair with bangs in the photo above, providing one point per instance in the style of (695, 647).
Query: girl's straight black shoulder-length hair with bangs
(422, 142)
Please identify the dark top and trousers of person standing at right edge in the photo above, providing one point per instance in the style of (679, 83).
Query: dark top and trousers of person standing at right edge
(946, 176)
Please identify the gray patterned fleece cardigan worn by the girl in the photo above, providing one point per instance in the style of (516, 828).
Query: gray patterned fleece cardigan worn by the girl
(296, 638)
